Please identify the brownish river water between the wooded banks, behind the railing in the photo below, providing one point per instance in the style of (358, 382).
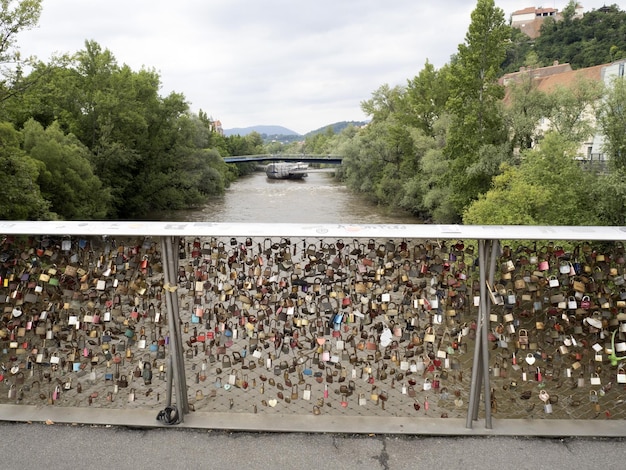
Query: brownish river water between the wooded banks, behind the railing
(318, 198)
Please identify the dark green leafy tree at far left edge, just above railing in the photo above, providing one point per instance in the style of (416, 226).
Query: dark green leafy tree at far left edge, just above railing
(21, 197)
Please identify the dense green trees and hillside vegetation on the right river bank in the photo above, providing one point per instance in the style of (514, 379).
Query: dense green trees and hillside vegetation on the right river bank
(444, 146)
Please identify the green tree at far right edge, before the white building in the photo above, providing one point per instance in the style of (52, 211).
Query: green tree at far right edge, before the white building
(612, 121)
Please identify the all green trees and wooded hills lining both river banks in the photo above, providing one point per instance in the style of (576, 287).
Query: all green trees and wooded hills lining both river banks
(84, 137)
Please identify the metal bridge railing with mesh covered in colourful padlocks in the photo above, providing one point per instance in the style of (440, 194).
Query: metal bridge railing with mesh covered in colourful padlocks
(395, 322)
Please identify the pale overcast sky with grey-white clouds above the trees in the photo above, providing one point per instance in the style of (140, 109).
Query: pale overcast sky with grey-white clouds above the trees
(297, 64)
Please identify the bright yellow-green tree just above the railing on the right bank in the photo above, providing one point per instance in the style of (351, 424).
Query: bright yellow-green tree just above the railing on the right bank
(549, 187)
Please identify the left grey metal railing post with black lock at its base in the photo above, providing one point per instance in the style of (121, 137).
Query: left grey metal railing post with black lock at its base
(170, 271)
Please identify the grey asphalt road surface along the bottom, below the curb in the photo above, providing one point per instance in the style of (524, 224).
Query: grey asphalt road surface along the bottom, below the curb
(37, 446)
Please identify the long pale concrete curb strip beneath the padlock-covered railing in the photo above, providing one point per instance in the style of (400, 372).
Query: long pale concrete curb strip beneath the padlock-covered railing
(317, 424)
